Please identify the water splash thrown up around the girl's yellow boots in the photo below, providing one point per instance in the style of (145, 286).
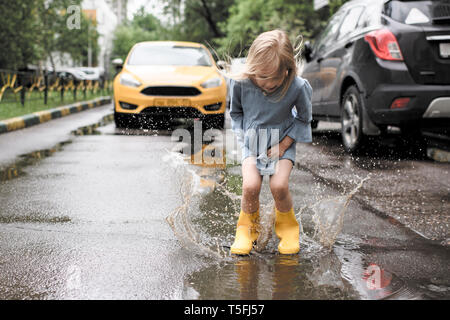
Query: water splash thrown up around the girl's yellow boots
(328, 216)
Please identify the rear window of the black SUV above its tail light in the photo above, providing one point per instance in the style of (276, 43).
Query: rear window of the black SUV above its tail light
(419, 12)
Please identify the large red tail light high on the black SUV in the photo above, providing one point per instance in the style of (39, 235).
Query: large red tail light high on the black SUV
(384, 44)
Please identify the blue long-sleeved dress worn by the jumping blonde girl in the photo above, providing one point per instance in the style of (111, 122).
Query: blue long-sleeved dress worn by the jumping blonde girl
(261, 121)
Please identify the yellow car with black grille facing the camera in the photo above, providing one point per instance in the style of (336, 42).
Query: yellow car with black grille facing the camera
(164, 80)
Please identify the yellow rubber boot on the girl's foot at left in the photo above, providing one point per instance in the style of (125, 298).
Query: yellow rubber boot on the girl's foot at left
(246, 232)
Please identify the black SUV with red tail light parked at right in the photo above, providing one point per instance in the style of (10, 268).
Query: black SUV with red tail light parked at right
(381, 64)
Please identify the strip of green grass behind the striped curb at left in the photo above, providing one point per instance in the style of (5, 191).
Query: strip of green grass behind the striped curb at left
(10, 107)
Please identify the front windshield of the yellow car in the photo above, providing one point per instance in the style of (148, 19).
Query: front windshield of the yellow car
(158, 55)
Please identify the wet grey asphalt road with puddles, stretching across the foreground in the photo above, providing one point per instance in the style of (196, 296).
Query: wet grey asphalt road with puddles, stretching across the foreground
(83, 216)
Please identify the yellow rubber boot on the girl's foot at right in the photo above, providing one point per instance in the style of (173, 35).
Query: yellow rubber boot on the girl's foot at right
(288, 230)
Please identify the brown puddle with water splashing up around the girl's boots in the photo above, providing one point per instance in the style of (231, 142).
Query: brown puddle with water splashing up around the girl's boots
(329, 266)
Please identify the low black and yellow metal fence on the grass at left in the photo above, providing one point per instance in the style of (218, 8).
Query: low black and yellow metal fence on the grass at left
(22, 86)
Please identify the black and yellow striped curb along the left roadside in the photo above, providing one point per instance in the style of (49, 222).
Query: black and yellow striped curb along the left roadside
(35, 118)
